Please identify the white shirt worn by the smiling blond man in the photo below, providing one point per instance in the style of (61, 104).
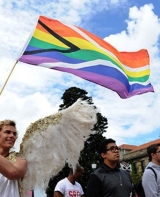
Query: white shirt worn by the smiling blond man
(8, 188)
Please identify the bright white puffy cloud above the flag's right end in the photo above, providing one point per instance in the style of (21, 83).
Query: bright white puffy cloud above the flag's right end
(139, 31)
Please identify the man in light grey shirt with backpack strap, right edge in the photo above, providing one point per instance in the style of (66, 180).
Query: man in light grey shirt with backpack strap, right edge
(150, 180)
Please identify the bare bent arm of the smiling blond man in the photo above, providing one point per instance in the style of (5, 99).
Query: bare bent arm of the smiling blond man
(15, 170)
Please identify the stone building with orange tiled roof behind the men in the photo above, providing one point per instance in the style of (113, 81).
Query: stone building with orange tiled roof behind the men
(136, 155)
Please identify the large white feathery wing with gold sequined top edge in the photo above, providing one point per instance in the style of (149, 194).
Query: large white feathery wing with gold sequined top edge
(49, 142)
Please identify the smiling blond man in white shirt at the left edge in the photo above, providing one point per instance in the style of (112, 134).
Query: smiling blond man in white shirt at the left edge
(12, 166)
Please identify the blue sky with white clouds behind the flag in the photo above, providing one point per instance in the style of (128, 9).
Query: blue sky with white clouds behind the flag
(35, 92)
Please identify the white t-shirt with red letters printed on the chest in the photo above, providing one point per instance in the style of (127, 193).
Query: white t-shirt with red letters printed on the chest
(68, 189)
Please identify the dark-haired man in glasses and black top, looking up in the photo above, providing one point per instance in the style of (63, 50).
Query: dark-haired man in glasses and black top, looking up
(109, 180)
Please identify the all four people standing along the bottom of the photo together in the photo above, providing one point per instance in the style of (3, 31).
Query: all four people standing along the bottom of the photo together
(109, 180)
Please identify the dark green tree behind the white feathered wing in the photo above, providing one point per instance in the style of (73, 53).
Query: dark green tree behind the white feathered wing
(89, 155)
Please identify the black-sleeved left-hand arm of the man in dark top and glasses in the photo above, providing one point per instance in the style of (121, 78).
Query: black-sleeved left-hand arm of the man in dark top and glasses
(94, 187)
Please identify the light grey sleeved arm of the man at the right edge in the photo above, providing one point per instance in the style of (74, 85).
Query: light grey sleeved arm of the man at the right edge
(150, 184)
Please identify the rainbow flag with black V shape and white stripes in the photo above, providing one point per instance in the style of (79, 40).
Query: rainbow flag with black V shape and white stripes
(71, 49)
